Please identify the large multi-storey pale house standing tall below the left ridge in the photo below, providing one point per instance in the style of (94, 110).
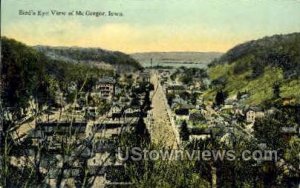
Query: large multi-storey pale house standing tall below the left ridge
(106, 87)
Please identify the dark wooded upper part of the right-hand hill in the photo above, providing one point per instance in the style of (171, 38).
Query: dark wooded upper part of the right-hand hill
(282, 51)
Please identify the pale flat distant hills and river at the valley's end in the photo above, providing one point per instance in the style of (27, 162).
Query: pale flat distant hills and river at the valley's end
(176, 57)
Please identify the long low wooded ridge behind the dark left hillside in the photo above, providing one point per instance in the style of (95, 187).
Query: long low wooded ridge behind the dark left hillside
(96, 56)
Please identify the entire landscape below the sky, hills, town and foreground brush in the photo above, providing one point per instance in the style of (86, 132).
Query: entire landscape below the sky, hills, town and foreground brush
(77, 117)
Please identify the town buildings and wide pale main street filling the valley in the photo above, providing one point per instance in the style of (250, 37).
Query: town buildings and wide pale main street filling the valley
(70, 140)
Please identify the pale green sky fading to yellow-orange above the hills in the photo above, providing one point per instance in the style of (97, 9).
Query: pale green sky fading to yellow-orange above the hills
(156, 25)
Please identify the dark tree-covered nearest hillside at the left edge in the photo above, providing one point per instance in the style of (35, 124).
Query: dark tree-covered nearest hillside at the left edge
(28, 73)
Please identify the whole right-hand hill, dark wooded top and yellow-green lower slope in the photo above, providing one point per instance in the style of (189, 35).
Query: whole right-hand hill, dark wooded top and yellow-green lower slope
(257, 67)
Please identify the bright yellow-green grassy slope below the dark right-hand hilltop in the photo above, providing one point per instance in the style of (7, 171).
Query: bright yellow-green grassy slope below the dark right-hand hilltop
(260, 88)
